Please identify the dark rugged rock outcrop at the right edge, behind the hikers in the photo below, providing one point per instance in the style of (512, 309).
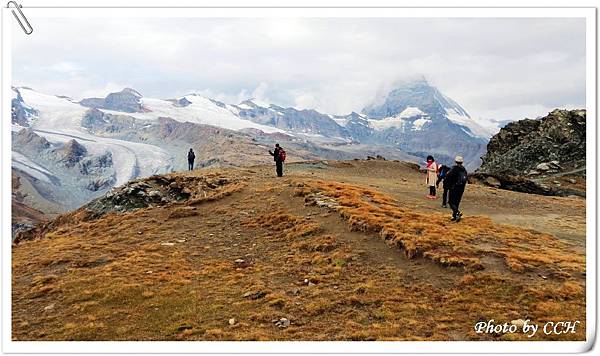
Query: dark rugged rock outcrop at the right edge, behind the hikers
(527, 155)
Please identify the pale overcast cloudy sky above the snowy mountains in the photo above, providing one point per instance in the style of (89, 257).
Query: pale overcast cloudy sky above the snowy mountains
(495, 68)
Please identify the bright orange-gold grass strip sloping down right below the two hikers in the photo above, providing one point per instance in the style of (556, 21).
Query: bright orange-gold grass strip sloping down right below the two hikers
(433, 236)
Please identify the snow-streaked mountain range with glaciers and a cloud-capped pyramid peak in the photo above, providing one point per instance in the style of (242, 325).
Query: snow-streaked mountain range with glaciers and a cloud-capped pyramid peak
(69, 152)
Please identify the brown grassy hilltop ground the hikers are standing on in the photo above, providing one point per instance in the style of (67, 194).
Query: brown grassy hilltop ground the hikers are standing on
(342, 250)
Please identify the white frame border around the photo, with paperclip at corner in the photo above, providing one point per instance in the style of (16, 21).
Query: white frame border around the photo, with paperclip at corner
(10, 346)
